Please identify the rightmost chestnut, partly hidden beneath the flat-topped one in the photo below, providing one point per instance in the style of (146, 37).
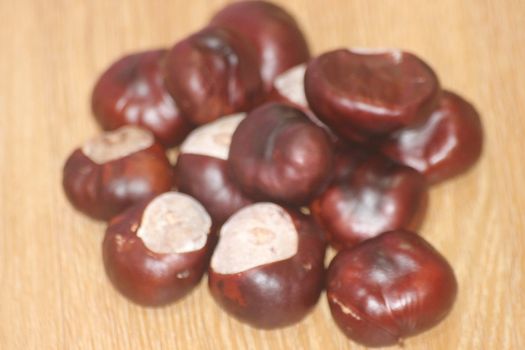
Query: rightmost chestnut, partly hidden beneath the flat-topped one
(445, 145)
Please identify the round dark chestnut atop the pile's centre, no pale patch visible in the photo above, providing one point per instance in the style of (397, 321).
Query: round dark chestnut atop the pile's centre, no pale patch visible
(277, 154)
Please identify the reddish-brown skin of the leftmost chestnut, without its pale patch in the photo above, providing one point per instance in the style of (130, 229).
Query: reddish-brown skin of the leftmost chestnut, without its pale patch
(102, 191)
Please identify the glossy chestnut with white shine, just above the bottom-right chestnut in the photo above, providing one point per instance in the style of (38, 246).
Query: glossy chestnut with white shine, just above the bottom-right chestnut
(370, 195)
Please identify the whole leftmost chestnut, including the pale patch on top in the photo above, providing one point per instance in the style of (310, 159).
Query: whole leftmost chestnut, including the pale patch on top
(115, 170)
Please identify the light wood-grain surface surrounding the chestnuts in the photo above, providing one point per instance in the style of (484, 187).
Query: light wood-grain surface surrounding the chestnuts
(53, 291)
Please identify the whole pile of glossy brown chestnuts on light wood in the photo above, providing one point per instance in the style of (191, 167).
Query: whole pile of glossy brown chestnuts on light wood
(279, 155)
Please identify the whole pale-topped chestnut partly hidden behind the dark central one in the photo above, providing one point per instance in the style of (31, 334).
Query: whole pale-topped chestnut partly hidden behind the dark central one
(202, 172)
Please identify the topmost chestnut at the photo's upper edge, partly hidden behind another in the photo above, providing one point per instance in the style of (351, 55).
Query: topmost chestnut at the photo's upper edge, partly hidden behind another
(276, 35)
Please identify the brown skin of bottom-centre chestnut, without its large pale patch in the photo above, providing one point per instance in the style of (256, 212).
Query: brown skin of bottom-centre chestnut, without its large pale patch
(278, 294)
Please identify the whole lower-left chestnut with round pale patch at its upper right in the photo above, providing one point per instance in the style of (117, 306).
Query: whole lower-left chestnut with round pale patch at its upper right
(157, 251)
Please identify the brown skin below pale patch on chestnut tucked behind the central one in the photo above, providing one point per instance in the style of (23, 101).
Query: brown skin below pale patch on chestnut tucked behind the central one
(207, 179)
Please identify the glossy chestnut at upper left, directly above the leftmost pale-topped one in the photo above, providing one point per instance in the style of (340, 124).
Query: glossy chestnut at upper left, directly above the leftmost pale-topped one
(131, 91)
